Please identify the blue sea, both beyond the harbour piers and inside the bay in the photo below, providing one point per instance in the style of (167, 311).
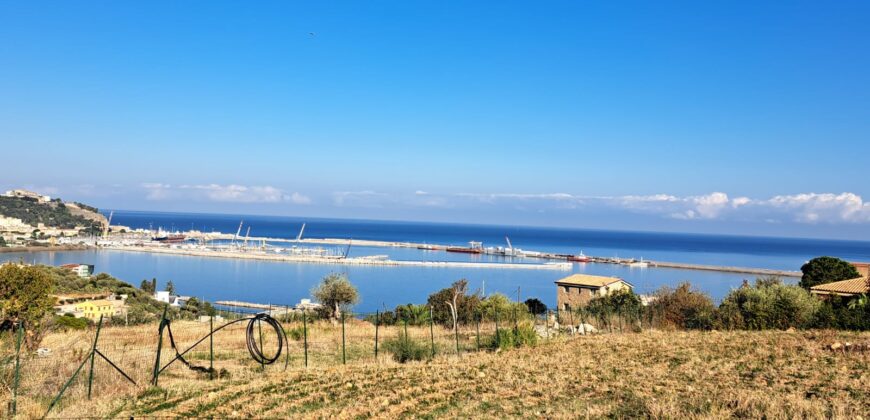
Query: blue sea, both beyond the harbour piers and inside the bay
(284, 283)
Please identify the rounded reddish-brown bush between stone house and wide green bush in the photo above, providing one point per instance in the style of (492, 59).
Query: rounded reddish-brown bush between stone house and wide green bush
(683, 308)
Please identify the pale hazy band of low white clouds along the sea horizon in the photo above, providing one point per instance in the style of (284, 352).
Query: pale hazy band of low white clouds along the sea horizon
(826, 214)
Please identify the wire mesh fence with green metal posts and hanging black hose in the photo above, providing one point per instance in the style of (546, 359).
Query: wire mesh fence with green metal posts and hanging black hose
(73, 365)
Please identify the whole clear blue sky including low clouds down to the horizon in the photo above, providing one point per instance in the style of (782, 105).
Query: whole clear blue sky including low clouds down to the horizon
(737, 117)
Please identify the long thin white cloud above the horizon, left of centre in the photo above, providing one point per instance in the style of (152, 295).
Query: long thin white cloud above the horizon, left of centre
(232, 193)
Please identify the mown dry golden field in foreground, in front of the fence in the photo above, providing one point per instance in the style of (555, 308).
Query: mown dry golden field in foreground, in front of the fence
(654, 373)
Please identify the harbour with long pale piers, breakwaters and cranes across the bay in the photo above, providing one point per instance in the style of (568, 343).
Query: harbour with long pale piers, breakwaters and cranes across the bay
(336, 251)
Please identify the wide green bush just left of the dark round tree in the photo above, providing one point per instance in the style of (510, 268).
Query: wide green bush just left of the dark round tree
(768, 304)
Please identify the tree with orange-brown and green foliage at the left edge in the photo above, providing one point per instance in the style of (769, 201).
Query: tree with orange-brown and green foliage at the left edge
(25, 295)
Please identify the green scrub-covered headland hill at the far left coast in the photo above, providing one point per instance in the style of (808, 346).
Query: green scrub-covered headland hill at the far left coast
(53, 214)
